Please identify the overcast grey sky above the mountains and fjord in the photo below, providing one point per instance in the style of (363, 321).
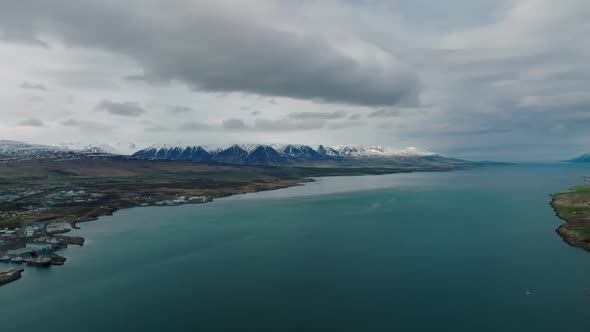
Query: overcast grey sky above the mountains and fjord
(479, 79)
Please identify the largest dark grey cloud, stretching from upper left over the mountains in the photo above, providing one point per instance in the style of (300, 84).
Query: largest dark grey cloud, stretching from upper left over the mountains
(202, 43)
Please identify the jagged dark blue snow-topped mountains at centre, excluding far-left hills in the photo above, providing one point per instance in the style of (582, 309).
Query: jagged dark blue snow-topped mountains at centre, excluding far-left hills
(302, 155)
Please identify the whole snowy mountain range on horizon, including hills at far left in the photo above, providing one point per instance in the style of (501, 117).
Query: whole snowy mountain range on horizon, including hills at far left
(247, 154)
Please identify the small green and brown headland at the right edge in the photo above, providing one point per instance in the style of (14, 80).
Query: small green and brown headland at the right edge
(574, 207)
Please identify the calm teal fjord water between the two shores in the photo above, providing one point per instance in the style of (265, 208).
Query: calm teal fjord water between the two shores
(459, 251)
